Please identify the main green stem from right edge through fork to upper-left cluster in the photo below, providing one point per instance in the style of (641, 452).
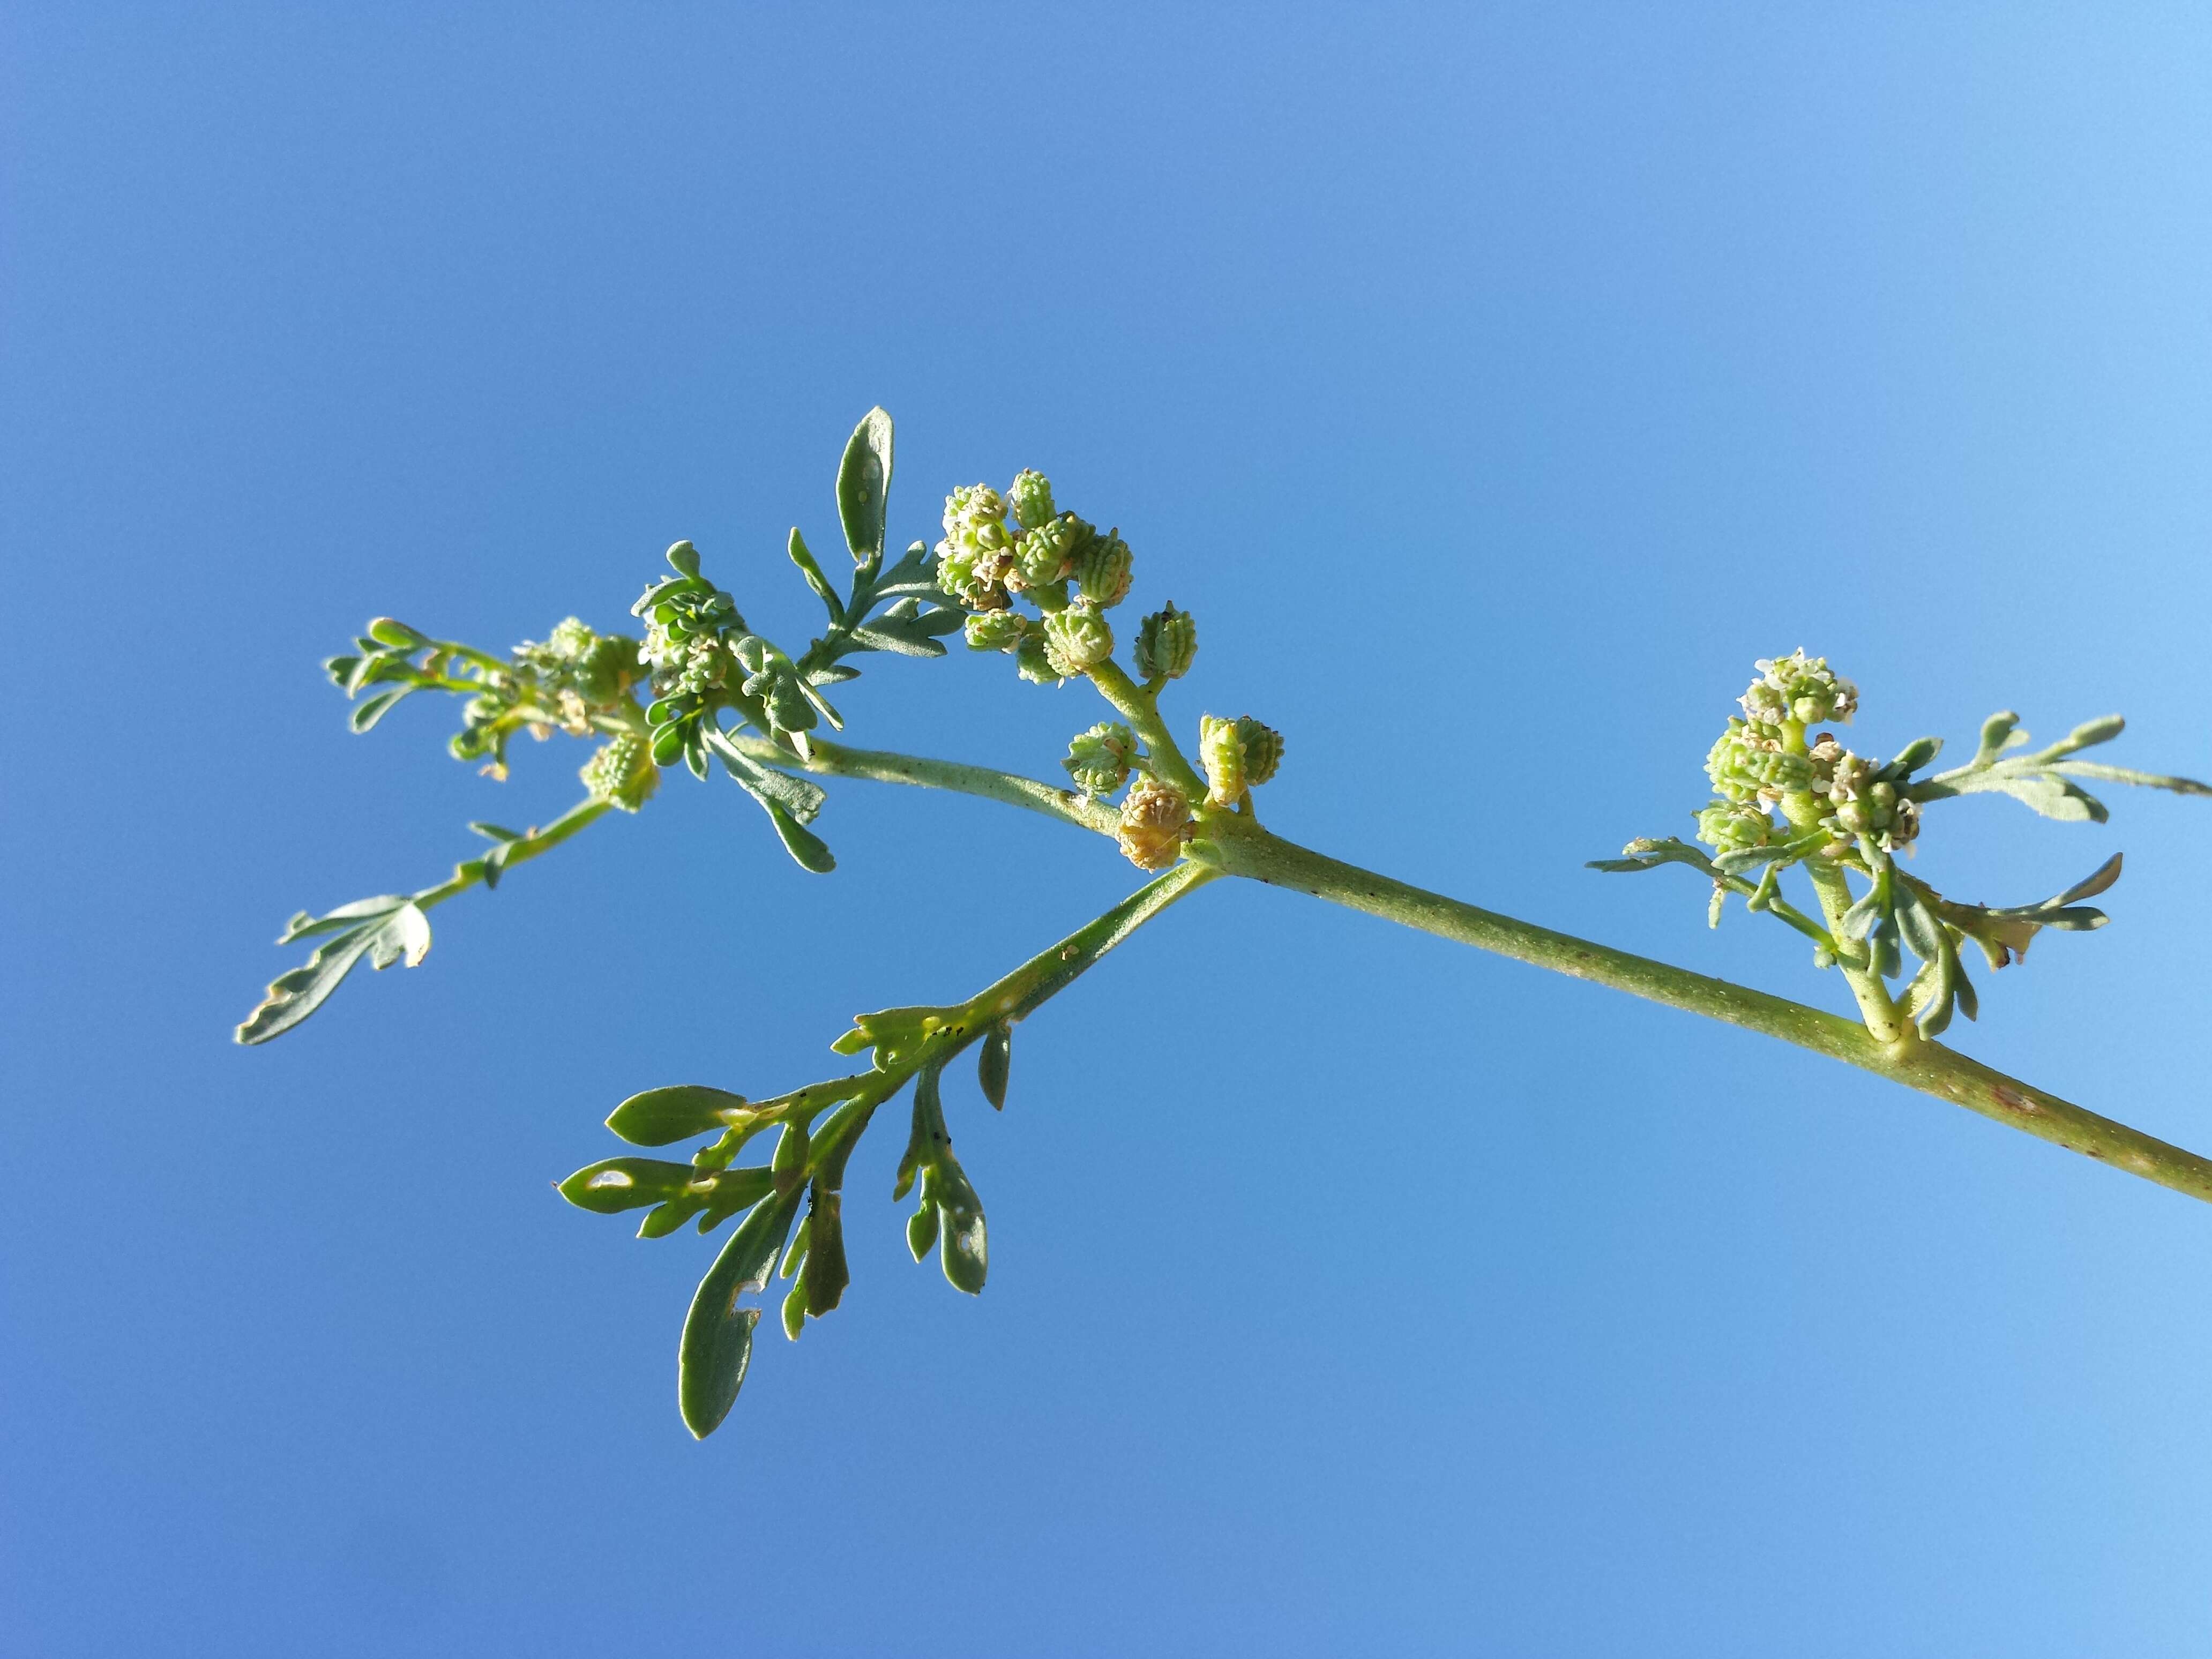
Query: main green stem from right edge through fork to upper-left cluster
(1242, 848)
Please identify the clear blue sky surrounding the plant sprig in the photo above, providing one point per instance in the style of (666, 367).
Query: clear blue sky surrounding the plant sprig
(1494, 384)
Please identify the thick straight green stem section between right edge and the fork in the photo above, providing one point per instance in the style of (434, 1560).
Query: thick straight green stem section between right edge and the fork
(1919, 1065)
